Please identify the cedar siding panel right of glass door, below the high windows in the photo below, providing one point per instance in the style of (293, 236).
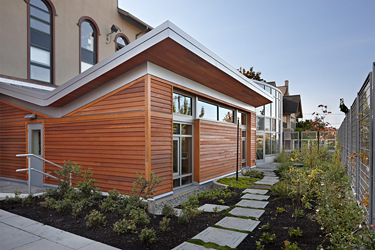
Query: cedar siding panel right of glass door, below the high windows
(217, 149)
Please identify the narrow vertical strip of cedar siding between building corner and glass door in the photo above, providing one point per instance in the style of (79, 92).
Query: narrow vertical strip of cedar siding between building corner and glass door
(161, 134)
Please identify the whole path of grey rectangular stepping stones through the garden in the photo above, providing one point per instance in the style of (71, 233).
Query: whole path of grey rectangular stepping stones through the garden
(252, 205)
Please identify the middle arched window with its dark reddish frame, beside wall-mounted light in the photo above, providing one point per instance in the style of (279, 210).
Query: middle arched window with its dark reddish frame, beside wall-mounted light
(89, 32)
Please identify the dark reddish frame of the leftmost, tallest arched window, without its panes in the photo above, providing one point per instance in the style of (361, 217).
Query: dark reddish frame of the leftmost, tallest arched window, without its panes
(53, 14)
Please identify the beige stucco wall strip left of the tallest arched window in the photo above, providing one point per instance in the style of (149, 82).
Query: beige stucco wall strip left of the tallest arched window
(13, 38)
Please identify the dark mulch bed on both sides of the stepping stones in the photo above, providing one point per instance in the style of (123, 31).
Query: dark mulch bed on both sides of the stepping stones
(312, 235)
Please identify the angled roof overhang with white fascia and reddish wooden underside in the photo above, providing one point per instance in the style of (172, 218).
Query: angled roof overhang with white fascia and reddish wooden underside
(166, 46)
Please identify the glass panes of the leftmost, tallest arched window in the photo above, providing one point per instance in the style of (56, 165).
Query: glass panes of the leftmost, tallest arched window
(41, 45)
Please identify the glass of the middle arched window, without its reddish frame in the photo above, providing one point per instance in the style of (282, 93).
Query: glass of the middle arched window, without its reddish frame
(88, 45)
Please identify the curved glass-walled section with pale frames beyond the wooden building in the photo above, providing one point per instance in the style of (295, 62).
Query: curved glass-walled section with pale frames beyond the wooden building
(268, 124)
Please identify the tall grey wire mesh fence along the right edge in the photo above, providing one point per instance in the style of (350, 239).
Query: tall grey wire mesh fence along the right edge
(356, 135)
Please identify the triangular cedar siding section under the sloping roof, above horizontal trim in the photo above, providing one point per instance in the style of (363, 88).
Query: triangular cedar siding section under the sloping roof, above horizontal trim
(131, 98)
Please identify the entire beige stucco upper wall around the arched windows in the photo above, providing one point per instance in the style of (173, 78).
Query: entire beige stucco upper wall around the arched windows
(13, 27)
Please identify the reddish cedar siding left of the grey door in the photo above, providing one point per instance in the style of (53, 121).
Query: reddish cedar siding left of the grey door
(12, 142)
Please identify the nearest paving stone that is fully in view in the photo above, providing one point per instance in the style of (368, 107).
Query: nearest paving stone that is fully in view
(221, 237)
